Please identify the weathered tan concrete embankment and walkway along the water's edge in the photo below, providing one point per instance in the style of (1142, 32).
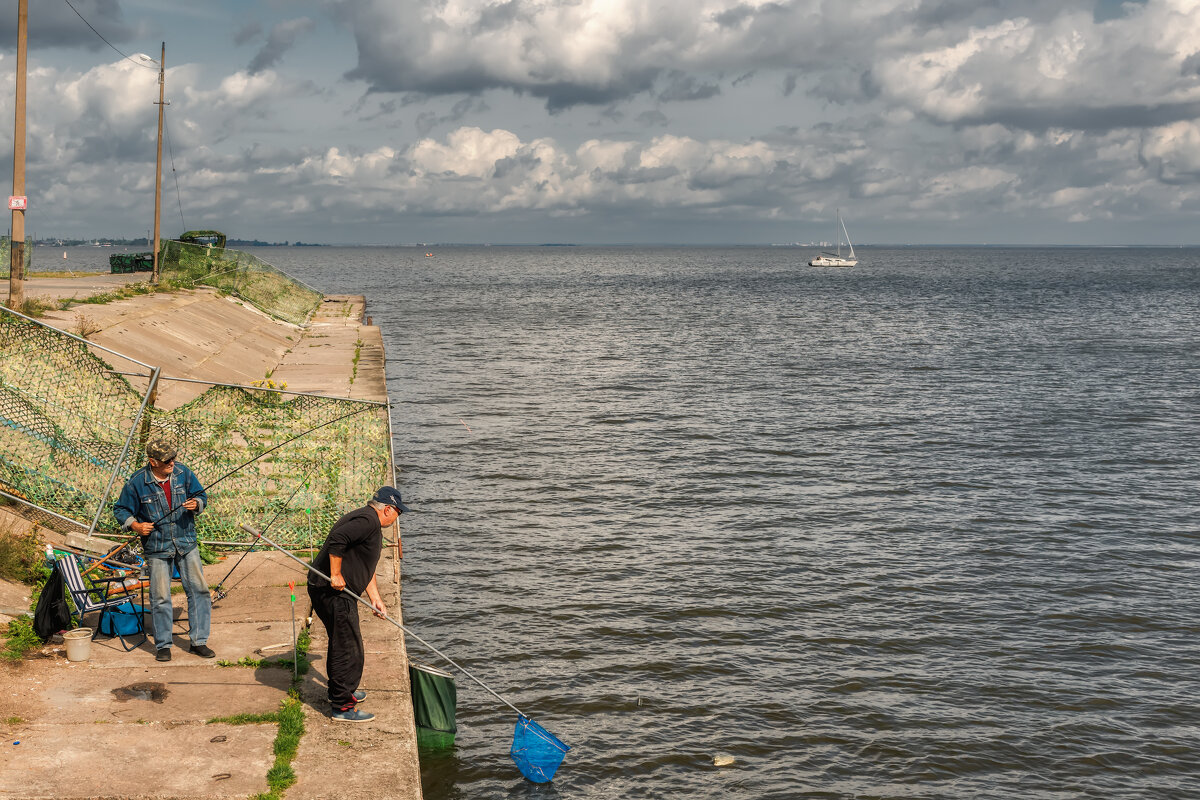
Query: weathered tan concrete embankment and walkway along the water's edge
(123, 725)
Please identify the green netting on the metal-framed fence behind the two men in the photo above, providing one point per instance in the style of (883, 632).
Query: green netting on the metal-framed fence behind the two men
(67, 414)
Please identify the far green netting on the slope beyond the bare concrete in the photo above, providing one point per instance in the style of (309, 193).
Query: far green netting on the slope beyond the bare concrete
(239, 274)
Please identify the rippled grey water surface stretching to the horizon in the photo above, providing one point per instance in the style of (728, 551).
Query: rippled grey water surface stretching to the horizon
(921, 530)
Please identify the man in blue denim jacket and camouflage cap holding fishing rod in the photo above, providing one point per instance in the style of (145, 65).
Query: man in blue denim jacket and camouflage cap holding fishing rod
(160, 504)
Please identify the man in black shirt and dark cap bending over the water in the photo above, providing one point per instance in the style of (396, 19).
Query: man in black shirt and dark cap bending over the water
(350, 557)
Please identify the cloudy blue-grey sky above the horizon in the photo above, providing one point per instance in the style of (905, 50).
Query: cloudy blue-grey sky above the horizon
(615, 122)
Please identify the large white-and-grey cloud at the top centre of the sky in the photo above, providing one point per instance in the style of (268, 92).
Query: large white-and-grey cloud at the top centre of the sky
(572, 55)
